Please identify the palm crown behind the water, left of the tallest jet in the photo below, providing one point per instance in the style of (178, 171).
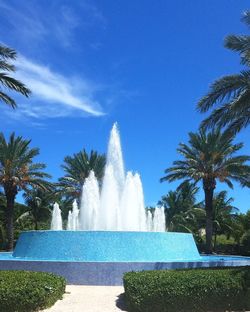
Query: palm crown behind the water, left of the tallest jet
(77, 169)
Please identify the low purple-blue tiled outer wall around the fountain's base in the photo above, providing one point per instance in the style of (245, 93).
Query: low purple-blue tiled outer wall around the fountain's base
(105, 273)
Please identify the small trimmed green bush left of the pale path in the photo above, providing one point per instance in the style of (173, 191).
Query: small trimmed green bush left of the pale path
(23, 291)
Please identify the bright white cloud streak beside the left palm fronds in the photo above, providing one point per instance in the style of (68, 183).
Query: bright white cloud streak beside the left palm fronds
(54, 95)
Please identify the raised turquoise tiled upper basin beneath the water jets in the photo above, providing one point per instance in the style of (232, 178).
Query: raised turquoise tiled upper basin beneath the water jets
(106, 246)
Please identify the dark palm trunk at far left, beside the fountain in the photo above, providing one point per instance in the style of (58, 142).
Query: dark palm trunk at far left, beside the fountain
(10, 199)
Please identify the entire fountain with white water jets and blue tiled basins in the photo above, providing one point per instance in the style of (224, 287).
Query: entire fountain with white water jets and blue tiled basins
(109, 234)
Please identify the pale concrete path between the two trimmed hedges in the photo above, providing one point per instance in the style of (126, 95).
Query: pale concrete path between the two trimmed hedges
(90, 299)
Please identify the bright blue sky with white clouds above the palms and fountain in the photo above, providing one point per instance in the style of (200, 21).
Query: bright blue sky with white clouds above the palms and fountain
(143, 64)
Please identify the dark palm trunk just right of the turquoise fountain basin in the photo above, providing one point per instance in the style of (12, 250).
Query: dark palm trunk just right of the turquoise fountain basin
(209, 187)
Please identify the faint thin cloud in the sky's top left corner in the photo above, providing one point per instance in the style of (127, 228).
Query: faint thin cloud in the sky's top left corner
(57, 21)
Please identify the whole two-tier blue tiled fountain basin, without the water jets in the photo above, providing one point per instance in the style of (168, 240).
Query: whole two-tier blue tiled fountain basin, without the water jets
(101, 258)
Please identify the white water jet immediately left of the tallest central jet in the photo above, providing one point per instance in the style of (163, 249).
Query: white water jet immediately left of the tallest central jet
(90, 204)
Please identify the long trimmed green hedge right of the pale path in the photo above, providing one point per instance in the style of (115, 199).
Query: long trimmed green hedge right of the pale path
(188, 290)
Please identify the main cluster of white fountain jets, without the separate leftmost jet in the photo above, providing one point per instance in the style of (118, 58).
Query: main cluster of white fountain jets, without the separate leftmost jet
(119, 204)
